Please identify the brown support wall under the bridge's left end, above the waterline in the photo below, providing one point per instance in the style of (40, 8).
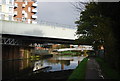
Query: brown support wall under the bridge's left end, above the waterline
(15, 52)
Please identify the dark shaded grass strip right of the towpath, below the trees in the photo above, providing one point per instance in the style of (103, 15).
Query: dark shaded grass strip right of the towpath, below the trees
(108, 72)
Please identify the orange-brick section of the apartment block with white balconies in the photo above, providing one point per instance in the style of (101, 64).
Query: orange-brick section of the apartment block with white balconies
(25, 11)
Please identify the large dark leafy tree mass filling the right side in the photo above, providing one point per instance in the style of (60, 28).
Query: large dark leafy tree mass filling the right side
(98, 26)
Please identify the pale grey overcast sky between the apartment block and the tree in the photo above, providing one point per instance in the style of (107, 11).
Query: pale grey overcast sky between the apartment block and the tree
(57, 12)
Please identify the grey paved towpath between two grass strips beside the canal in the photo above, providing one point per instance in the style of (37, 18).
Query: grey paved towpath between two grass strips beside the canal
(93, 70)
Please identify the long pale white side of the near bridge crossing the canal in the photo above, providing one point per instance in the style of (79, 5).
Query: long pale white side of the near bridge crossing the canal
(37, 30)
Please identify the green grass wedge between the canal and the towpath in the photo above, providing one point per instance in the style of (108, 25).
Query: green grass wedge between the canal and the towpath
(79, 73)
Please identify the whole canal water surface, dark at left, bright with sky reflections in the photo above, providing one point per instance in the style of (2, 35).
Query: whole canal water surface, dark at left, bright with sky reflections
(18, 68)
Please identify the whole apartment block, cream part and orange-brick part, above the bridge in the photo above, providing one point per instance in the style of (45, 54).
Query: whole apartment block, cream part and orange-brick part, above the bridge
(19, 10)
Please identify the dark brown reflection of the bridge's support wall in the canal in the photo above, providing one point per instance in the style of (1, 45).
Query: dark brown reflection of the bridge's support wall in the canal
(11, 69)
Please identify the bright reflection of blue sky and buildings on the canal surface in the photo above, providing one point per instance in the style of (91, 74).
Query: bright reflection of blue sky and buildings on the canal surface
(58, 63)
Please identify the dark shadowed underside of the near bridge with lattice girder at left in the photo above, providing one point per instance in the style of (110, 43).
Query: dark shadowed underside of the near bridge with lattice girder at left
(10, 39)
